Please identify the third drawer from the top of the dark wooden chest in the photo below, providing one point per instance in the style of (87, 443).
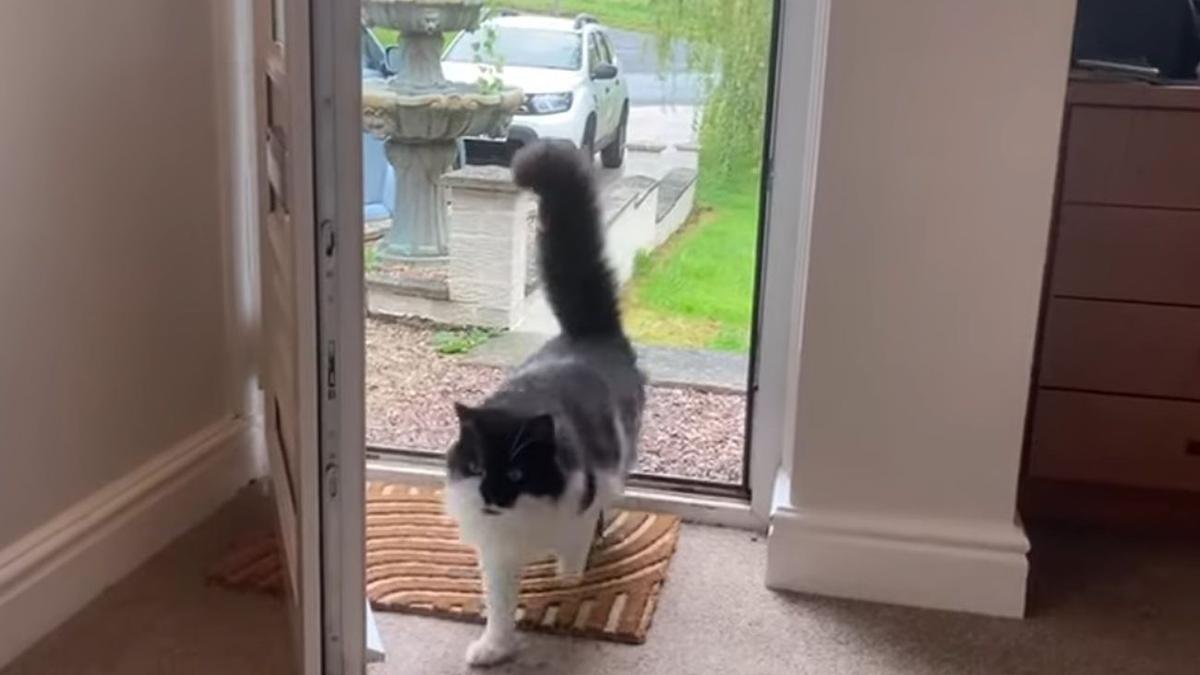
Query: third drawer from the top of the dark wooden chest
(1121, 348)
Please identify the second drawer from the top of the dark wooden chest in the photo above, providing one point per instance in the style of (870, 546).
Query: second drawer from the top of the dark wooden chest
(1129, 254)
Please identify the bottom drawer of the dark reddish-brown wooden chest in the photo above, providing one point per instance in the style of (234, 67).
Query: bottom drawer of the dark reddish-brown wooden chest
(1117, 440)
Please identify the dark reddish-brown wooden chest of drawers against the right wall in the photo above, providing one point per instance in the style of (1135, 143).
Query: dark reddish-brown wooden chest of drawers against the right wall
(1115, 415)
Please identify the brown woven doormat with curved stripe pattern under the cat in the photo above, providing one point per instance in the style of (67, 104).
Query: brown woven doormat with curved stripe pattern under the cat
(417, 565)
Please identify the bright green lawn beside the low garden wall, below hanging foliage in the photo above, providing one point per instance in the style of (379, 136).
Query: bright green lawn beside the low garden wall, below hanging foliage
(698, 290)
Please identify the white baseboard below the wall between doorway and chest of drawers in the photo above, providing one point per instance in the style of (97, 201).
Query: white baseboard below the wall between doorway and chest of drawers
(974, 568)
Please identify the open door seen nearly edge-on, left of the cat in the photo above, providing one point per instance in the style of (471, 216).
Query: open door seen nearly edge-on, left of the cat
(313, 393)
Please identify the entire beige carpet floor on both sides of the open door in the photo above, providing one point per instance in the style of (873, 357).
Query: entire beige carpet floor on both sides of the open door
(1100, 605)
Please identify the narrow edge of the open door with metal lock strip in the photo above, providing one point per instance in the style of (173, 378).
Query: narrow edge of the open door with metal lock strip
(338, 210)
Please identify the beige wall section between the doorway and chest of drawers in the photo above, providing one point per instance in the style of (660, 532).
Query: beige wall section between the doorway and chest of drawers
(938, 154)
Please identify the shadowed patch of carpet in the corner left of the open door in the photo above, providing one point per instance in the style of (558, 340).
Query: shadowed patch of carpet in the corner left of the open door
(164, 619)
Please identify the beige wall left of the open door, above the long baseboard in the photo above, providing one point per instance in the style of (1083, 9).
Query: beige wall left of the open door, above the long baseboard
(111, 264)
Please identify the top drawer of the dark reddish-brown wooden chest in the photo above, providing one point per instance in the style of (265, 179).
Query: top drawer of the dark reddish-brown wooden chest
(1143, 158)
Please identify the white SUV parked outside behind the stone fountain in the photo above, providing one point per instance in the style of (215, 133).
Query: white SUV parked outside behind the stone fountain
(571, 77)
